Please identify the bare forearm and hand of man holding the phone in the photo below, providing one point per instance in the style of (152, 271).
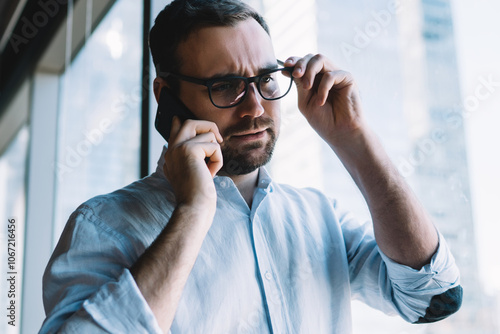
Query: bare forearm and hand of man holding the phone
(163, 269)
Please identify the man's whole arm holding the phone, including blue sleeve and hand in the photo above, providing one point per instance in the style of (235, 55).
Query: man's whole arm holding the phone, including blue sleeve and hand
(87, 275)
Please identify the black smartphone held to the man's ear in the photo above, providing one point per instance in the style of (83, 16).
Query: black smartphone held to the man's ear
(169, 106)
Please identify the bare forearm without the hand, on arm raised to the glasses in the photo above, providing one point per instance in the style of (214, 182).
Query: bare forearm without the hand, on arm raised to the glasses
(402, 228)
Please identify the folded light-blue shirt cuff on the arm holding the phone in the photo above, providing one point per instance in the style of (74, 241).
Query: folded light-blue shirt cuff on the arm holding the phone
(119, 307)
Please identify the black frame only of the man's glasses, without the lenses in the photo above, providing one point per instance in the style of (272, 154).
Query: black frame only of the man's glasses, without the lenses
(209, 82)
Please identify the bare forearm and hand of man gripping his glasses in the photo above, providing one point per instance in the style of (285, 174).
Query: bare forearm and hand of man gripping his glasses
(329, 100)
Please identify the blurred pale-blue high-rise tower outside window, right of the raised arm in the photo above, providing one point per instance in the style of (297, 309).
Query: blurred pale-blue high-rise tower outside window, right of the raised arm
(437, 165)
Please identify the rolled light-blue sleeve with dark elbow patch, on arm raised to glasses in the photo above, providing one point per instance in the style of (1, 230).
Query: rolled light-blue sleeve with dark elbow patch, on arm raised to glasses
(426, 295)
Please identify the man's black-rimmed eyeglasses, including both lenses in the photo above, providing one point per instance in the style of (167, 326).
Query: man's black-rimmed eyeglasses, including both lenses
(230, 91)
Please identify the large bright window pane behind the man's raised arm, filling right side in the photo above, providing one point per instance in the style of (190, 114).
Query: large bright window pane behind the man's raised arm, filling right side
(405, 58)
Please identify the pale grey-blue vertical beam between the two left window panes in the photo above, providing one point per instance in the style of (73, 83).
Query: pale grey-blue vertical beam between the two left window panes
(40, 197)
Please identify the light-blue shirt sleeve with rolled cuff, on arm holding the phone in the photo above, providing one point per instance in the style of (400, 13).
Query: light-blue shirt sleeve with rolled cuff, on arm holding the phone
(87, 287)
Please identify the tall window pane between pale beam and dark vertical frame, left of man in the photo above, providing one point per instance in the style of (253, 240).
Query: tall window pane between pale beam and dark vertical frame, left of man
(99, 123)
